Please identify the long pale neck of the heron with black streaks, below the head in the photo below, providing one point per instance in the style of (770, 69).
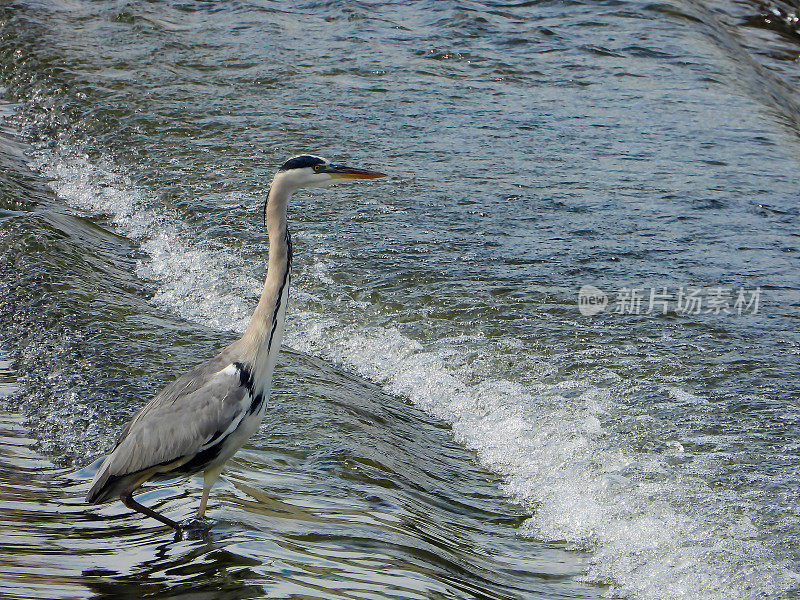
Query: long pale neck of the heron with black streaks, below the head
(262, 339)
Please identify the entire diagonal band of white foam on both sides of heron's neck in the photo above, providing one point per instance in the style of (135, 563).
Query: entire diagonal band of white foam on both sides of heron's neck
(654, 531)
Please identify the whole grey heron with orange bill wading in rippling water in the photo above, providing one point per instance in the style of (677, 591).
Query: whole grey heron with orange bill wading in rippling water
(200, 420)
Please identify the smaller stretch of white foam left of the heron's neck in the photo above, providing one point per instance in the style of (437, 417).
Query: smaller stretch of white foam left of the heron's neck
(184, 267)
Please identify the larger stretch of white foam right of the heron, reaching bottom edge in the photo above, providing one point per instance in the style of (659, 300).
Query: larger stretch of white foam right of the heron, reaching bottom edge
(631, 510)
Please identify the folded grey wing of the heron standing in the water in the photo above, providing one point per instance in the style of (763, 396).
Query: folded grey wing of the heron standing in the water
(166, 434)
